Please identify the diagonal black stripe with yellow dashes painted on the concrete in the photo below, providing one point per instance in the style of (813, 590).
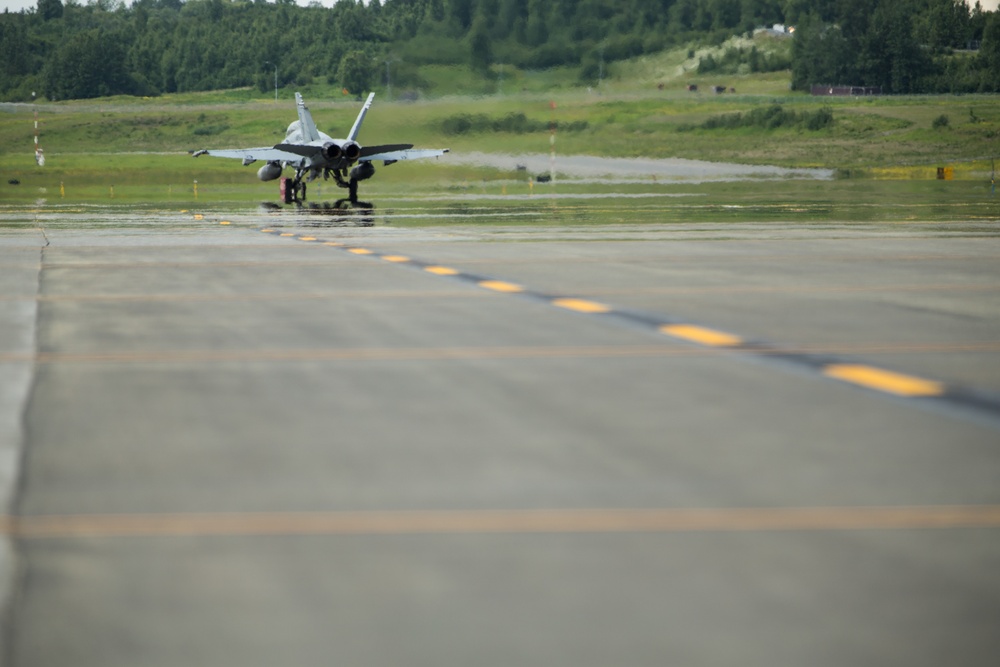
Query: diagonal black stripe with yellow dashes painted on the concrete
(918, 391)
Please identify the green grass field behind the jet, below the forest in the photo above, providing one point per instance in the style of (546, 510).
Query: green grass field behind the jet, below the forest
(132, 149)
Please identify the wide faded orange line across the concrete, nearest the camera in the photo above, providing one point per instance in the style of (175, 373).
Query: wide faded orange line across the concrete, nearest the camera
(472, 522)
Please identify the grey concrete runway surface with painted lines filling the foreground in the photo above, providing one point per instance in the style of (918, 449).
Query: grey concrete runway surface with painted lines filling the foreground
(259, 443)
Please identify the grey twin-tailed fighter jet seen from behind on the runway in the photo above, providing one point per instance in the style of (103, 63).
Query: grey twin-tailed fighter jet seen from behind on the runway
(312, 153)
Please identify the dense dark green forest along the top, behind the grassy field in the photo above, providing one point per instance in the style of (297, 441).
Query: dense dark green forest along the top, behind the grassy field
(68, 50)
